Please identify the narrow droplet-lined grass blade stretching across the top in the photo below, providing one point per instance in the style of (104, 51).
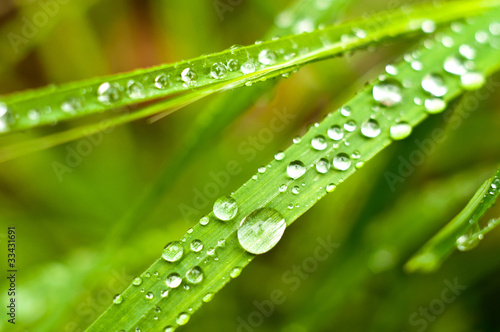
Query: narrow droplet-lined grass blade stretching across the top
(232, 68)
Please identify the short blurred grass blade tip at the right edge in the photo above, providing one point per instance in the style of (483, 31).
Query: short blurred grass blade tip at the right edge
(463, 232)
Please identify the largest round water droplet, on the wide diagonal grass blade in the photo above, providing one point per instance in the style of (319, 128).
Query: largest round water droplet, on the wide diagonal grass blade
(261, 230)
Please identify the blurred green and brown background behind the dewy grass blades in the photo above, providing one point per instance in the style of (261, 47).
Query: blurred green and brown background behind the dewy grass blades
(64, 220)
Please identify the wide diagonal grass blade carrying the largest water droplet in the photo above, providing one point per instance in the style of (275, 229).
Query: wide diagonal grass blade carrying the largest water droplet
(215, 251)
